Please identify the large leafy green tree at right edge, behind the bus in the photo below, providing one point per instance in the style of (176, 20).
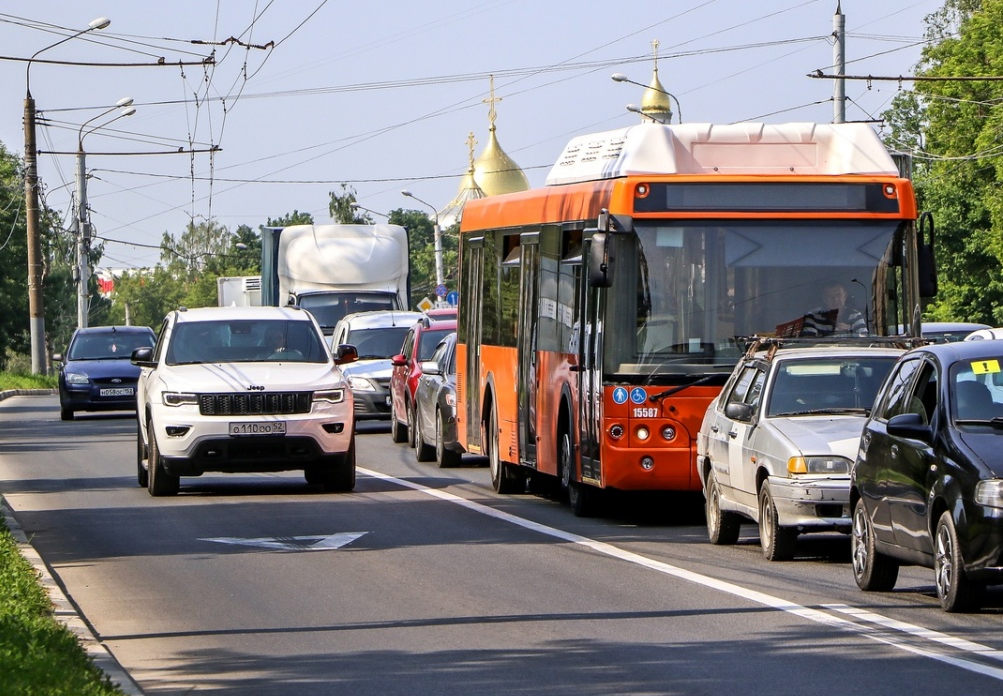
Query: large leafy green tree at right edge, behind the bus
(952, 127)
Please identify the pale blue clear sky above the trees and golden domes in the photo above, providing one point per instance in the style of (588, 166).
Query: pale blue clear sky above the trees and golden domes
(306, 95)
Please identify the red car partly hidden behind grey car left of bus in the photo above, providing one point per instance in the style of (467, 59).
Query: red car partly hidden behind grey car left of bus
(420, 344)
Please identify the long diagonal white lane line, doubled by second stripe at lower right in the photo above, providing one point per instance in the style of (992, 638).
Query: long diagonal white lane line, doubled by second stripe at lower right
(764, 599)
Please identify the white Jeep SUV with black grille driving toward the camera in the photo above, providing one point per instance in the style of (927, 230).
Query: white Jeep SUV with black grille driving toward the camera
(243, 390)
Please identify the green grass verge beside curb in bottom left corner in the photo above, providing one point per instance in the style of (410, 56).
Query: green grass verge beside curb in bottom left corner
(39, 655)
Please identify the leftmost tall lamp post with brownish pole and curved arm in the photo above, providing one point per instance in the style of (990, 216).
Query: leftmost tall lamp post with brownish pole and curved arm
(37, 307)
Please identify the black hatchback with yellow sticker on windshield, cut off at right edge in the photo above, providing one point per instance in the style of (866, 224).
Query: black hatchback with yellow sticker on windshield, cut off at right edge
(927, 487)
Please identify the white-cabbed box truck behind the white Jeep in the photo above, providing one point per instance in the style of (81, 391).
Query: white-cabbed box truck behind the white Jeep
(336, 270)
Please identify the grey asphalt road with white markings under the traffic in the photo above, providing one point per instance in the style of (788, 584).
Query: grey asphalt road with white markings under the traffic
(425, 582)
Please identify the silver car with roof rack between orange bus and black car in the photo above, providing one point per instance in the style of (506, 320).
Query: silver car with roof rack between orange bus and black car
(777, 445)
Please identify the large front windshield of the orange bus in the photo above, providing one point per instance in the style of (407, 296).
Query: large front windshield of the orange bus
(688, 294)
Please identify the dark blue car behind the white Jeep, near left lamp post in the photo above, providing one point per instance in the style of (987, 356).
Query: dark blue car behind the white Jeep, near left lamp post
(97, 375)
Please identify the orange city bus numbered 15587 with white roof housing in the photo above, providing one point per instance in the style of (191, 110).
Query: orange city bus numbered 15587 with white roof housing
(600, 314)
